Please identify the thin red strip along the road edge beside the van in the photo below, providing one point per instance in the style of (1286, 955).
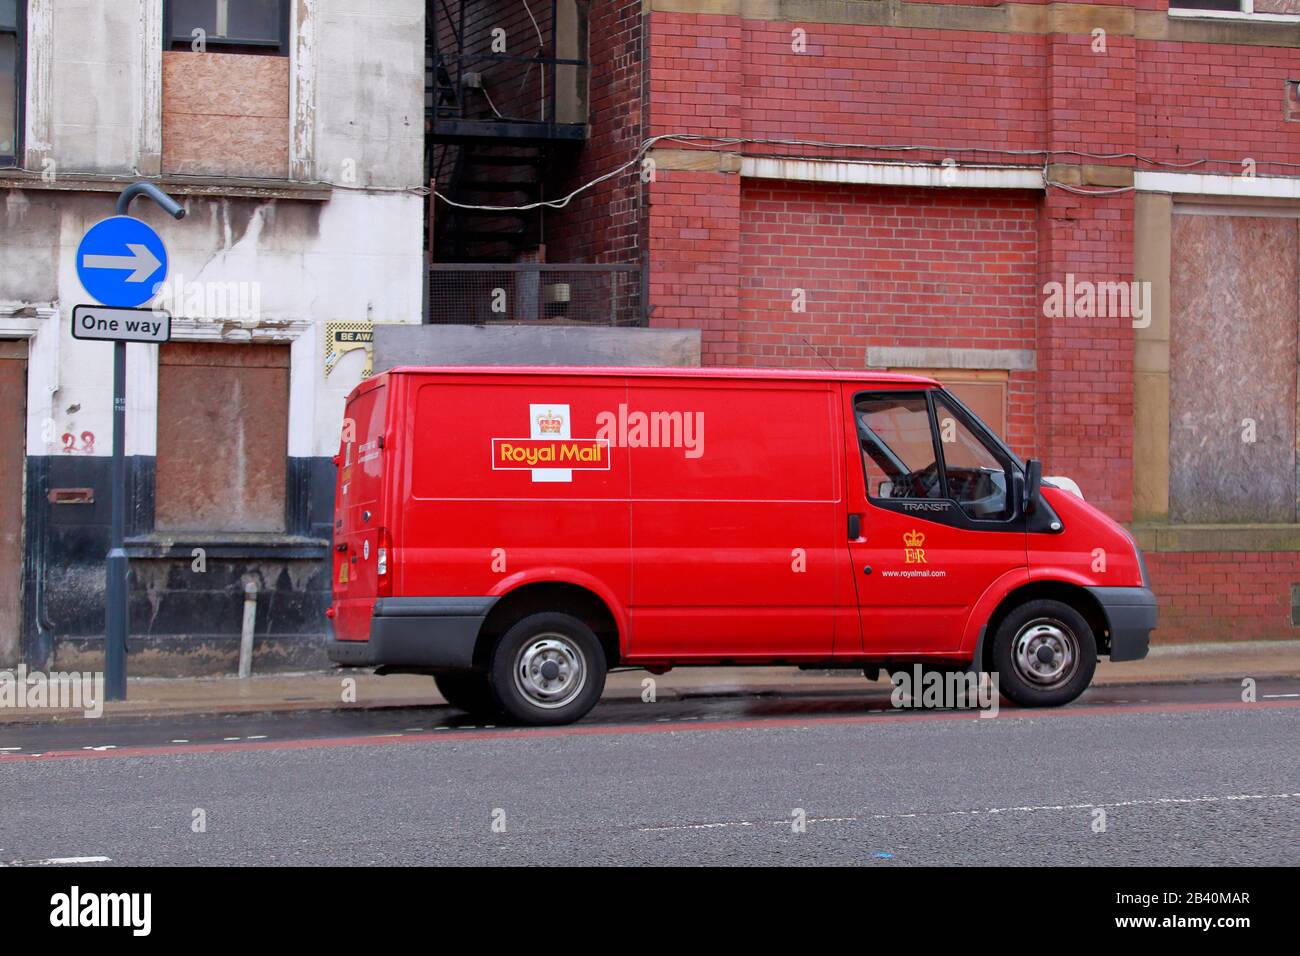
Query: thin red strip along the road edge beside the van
(666, 728)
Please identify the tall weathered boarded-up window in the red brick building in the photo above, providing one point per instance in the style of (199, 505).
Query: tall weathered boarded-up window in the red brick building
(1233, 370)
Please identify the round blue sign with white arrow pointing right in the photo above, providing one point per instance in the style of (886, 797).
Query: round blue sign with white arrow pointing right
(122, 262)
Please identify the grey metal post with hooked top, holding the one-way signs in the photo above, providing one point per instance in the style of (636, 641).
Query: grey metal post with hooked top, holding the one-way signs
(116, 628)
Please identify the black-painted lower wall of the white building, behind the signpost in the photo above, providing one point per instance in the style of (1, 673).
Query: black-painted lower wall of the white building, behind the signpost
(185, 613)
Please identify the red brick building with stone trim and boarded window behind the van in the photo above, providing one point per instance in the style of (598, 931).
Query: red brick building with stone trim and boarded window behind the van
(1081, 215)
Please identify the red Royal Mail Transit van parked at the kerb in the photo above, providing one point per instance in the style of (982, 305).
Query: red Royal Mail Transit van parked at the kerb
(517, 533)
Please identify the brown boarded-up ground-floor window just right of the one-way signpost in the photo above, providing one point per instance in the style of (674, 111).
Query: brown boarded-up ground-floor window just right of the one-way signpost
(223, 438)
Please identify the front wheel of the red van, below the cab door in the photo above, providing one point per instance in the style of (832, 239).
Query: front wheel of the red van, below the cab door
(1045, 654)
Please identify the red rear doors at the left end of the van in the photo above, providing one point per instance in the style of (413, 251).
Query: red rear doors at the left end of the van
(359, 494)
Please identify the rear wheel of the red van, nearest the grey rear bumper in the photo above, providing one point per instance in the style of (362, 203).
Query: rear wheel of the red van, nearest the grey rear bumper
(548, 669)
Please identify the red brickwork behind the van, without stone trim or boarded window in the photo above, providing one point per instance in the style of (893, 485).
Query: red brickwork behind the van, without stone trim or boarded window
(887, 266)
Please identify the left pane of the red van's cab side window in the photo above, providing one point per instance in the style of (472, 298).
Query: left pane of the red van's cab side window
(898, 447)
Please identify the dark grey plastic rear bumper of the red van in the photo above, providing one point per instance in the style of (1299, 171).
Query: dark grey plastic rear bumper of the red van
(437, 633)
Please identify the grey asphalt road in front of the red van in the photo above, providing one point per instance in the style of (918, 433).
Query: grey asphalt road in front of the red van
(1185, 775)
